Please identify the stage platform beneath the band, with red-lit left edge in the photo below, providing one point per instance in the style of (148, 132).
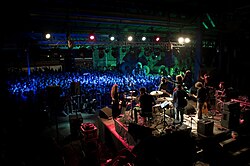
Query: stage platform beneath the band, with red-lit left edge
(121, 134)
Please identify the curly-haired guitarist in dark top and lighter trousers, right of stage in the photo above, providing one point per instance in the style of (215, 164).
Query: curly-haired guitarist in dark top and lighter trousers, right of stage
(201, 97)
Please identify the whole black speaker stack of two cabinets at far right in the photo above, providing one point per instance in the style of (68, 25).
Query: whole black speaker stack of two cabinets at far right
(230, 115)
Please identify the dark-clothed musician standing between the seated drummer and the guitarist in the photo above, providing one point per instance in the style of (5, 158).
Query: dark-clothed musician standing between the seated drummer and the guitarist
(180, 97)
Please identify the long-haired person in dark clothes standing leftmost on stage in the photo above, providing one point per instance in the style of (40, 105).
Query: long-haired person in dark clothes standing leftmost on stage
(115, 105)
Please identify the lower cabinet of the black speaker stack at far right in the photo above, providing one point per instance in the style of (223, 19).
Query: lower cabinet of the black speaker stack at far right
(229, 119)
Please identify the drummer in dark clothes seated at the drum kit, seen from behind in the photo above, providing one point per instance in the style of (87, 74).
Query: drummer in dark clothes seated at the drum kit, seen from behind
(146, 102)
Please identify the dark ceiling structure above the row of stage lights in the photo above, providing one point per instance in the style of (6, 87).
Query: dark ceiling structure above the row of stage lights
(76, 20)
